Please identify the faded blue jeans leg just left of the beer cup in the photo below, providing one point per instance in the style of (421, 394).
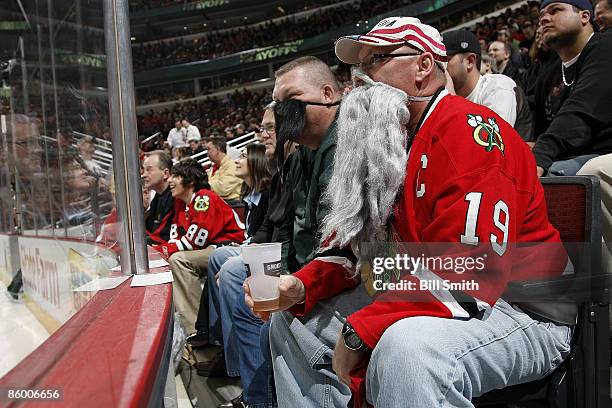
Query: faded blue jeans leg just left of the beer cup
(222, 301)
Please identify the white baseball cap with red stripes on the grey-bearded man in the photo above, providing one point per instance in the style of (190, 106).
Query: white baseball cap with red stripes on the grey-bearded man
(394, 31)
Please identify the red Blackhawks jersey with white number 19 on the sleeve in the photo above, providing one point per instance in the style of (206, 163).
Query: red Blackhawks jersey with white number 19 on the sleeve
(470, 179)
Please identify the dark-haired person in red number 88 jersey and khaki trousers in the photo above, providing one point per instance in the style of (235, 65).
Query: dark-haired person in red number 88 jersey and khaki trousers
(202, 221)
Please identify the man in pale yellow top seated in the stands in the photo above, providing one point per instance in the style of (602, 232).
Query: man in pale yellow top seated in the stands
(222, 175)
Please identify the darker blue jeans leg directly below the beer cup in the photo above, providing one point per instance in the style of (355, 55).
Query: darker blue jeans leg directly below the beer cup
(255, 361)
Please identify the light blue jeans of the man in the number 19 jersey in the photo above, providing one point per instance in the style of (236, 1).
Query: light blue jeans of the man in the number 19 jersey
(419, 361)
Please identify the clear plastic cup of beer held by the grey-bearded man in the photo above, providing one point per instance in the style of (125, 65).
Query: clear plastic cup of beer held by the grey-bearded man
(263, 263)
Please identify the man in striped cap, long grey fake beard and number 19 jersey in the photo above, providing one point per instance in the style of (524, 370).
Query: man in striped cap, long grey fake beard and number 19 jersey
(415, 165)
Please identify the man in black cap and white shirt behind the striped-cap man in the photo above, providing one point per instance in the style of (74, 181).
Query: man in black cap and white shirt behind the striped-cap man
(495, 91)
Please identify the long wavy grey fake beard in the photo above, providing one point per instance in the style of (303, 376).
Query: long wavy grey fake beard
(369, 164)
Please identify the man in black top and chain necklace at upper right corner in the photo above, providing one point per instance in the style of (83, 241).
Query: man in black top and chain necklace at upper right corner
(581, 128)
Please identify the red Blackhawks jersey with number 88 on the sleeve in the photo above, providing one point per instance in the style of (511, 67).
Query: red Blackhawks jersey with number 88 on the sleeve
(205, 220)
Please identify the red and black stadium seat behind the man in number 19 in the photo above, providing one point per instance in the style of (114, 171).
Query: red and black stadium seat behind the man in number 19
(583, 379)
